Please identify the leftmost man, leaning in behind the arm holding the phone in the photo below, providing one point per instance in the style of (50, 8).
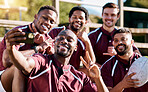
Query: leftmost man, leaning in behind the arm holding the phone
(43, 22)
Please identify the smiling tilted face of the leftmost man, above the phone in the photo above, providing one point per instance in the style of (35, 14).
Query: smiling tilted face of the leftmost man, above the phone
(45, 20)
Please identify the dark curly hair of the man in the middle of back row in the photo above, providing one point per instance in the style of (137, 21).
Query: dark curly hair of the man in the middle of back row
(81, 9)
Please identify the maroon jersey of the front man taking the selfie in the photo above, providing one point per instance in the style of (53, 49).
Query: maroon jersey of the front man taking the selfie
(49, 75)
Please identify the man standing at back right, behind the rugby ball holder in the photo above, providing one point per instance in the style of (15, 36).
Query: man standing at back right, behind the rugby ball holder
(101, 38)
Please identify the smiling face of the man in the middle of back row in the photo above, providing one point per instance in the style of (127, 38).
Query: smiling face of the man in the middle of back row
(77, 20)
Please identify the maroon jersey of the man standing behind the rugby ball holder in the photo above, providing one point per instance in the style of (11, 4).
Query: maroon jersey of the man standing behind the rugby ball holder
(100, 40)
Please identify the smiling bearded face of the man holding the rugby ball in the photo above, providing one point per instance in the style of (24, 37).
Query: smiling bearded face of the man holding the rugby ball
(122, 43)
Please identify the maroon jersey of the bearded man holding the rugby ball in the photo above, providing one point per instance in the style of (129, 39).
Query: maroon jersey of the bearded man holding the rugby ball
(114, 70)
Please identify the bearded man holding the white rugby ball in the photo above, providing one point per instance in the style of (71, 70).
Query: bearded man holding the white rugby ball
(114, 71)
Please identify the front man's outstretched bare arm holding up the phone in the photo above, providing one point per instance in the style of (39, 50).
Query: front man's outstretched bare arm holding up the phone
(17, 58)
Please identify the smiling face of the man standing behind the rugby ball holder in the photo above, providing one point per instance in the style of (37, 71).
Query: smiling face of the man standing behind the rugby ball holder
(110, 17)
